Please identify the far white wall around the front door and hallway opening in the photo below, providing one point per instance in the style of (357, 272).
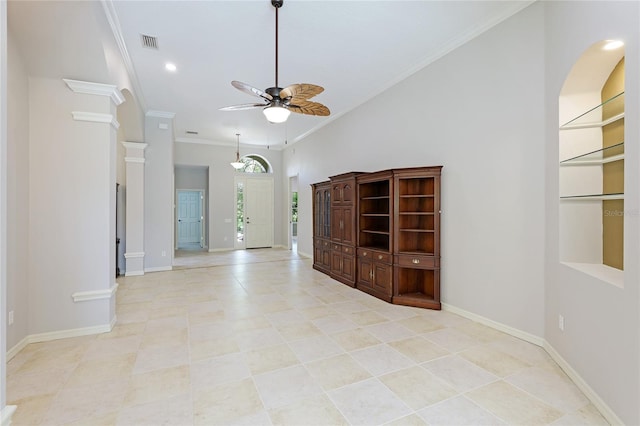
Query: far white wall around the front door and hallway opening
(222, 190)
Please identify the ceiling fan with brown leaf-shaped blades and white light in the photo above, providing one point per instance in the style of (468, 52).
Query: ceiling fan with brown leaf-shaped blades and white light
(279, 102)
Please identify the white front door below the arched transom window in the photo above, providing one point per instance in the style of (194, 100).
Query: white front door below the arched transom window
(258, 207)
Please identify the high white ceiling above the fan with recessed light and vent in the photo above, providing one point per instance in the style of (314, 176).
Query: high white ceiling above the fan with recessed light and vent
(354, 49)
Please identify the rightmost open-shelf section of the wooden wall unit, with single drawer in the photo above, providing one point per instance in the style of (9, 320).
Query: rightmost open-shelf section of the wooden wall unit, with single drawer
(416, 243)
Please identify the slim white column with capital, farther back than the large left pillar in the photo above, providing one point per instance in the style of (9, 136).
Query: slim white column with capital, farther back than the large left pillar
(134, 239)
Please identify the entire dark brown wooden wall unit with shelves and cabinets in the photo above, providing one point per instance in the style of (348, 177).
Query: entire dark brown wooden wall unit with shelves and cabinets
(380, 232)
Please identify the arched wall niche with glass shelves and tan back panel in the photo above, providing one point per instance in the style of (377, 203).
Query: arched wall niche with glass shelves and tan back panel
(591, 158)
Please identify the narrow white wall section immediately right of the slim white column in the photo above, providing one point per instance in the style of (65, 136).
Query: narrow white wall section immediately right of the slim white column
(158, 193)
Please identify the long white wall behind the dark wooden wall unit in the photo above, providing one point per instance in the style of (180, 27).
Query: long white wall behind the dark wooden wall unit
(478, 111)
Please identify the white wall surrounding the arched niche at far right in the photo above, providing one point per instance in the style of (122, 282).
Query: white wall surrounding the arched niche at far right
(601, 337)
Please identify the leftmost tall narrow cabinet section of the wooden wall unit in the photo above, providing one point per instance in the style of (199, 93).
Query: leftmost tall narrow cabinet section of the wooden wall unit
(322, 226)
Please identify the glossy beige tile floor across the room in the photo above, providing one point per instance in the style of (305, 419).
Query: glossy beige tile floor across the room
(263, 339)
